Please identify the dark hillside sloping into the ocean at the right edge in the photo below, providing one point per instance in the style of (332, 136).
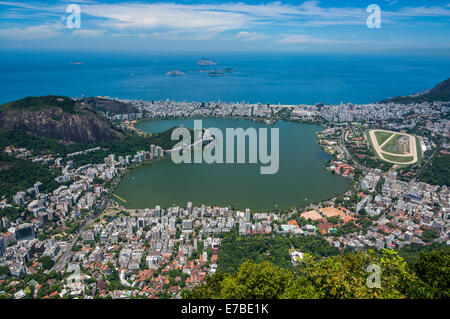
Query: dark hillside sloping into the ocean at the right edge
(440, 92)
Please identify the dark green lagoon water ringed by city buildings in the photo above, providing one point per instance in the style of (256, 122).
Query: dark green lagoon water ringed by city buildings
(301, 177)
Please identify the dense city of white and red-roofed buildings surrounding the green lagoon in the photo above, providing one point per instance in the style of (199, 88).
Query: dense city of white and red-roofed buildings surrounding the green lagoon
(90, 246)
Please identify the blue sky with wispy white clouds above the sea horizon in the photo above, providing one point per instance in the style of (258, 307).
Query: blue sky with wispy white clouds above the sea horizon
(329, 26)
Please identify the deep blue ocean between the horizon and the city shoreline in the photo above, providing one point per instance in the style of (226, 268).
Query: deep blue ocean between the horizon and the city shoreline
(266, 78)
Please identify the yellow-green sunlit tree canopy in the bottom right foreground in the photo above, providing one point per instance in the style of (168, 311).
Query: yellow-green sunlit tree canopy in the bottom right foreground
(344, 276)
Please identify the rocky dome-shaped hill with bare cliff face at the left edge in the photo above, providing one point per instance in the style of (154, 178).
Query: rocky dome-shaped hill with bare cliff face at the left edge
(57, 117)
